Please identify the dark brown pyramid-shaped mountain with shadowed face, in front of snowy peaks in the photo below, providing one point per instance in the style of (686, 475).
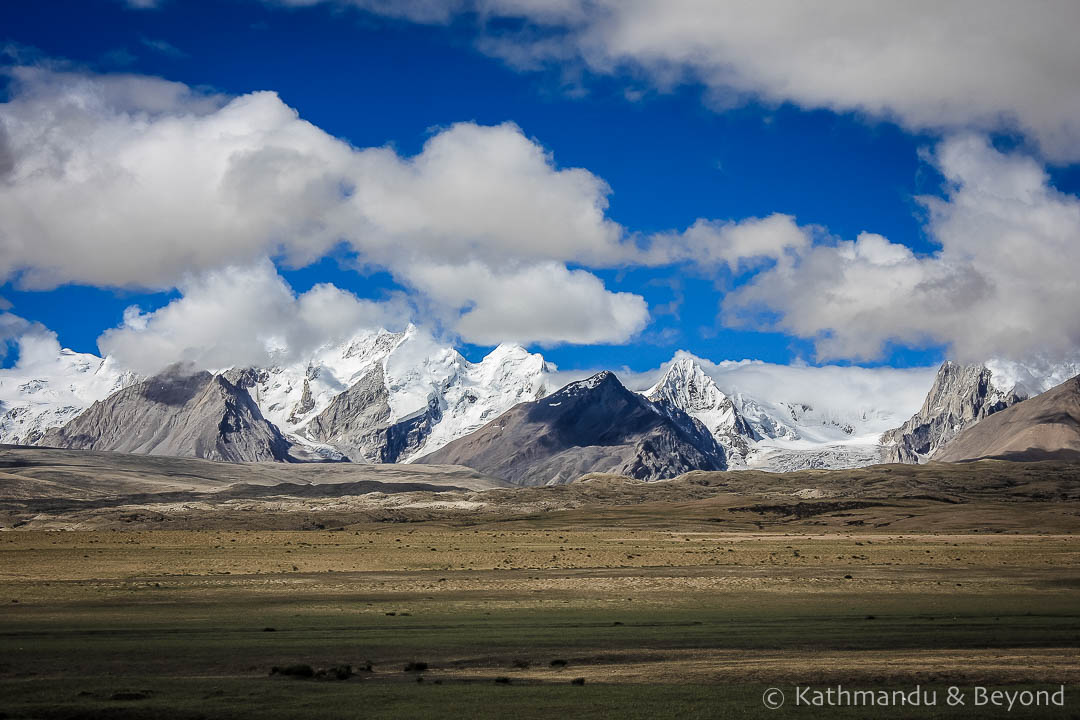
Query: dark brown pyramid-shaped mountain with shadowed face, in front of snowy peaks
(591, 426)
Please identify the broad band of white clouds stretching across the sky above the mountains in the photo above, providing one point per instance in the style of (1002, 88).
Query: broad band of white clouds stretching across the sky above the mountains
(136, 182)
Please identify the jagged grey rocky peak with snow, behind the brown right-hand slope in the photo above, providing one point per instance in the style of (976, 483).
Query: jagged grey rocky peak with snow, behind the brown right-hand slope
(962, 396)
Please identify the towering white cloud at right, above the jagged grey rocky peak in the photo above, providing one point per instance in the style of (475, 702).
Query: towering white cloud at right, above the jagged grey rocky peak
(1003, 284)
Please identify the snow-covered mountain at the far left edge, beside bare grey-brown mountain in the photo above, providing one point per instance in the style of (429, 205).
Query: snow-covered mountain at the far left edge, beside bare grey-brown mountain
(51, 386)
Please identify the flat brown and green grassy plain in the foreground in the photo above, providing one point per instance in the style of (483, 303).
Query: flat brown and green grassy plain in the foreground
(498, 617)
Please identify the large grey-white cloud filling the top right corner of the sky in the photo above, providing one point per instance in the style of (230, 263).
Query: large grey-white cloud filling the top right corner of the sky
(968, 64)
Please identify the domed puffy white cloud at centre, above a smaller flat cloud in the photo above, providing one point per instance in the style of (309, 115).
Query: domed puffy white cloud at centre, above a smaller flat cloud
(485, 194)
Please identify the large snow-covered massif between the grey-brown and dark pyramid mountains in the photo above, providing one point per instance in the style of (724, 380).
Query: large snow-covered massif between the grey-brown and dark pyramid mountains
(394, 397)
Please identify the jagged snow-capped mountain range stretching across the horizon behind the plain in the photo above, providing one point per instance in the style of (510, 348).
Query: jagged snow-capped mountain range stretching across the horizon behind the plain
(393, 398)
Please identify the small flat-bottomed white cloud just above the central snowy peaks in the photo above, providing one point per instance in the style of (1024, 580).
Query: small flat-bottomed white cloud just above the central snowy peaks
(543, 304)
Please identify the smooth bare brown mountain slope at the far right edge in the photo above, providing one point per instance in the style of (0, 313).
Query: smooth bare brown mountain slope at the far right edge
(1045, 427)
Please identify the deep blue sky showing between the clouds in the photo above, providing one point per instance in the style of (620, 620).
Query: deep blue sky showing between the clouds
(670, 153)
